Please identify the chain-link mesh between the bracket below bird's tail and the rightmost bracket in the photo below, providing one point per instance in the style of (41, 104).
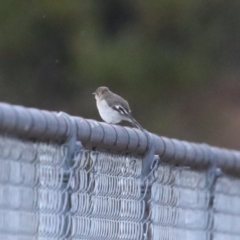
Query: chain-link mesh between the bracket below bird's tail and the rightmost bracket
(179, 204)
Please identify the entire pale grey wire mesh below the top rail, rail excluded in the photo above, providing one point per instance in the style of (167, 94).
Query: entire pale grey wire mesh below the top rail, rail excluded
(103, 195)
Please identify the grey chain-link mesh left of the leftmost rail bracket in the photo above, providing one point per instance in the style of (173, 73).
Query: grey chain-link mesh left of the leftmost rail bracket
(32, 200)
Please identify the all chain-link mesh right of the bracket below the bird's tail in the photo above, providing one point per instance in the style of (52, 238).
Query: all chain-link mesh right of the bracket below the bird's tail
(189, 204)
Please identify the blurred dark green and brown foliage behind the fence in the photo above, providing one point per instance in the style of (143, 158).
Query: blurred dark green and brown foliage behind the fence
(176, 62)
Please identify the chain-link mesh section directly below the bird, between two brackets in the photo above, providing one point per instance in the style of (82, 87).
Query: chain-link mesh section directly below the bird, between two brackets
(106, 197)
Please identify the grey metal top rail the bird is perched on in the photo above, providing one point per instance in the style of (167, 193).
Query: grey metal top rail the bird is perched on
(44, 125)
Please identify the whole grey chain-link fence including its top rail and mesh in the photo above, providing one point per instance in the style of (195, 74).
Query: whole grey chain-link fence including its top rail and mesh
(65, 177)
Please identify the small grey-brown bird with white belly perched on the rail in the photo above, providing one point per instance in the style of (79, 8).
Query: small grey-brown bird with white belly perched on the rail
(113, 108)
